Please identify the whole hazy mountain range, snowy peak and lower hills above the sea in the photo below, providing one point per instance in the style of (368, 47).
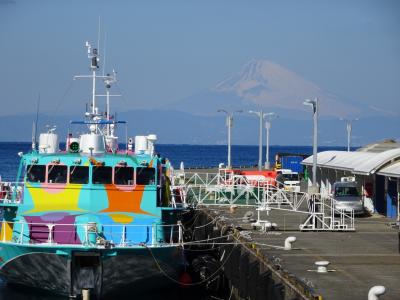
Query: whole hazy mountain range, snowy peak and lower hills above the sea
(260, 84)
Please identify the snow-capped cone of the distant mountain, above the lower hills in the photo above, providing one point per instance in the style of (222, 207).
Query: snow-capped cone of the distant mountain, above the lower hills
(271, 87)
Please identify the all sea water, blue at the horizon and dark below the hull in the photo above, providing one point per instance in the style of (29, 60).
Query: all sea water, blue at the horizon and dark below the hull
(193, 156)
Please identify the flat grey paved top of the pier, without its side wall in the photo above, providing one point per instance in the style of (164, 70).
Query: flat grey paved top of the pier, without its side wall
(359, 260)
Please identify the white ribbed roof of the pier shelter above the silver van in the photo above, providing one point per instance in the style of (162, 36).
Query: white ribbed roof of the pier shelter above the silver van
(363, 163)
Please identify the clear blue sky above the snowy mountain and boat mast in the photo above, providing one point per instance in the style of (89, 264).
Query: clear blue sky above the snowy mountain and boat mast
(167, 50)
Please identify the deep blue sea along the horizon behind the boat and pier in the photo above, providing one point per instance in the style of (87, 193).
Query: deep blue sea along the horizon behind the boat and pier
(193, 156)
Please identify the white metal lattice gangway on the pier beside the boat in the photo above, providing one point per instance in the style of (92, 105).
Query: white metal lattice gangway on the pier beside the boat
(229, 189)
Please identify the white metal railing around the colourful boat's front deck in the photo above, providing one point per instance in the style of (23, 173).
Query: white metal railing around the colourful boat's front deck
(92, 234)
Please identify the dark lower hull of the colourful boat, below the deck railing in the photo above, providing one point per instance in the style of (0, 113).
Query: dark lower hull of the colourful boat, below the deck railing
(103, 271)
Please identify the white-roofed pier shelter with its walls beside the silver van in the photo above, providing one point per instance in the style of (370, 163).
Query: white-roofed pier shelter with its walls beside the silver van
(377, 175)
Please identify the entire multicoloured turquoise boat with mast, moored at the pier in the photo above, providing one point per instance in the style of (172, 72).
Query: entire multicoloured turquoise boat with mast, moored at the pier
(91, 217)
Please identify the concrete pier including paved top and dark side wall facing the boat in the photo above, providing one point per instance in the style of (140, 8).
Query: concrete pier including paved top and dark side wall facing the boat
(357, 260)
